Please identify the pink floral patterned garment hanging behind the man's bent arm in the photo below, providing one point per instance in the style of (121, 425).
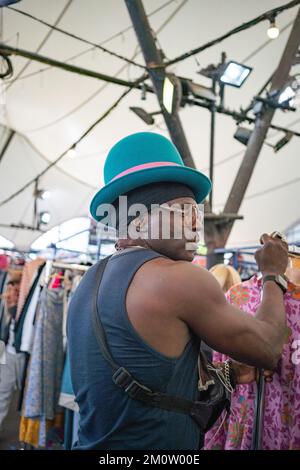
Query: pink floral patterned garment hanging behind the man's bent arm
(281, 423)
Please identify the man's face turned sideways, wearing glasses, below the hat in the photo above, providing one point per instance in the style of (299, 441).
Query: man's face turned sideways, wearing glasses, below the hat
(172, 229)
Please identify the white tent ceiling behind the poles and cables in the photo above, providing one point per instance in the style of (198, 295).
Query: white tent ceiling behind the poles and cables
(51, 109)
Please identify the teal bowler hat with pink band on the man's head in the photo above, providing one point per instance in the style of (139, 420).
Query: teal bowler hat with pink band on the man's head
(145, 158)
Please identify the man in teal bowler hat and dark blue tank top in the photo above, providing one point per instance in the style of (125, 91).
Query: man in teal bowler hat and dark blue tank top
(155, 307)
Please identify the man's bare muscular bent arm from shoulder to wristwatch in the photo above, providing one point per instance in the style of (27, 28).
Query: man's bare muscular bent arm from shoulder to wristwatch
(198, 300)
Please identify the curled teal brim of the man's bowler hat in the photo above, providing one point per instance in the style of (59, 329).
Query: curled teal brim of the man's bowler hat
(194, 179)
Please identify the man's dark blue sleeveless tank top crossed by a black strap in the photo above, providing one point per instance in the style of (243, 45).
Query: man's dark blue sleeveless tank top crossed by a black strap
(109, 419)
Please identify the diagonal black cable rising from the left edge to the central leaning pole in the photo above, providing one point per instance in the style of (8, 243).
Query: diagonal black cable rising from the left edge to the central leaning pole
(52, 164)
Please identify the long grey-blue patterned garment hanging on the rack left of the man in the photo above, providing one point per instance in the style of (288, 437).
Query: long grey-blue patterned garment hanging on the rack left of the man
(46, 364)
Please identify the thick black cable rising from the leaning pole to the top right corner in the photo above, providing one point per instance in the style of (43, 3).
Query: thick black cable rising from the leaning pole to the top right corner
(265, 16)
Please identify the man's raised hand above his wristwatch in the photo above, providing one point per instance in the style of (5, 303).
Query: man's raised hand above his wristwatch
(272, 258)
